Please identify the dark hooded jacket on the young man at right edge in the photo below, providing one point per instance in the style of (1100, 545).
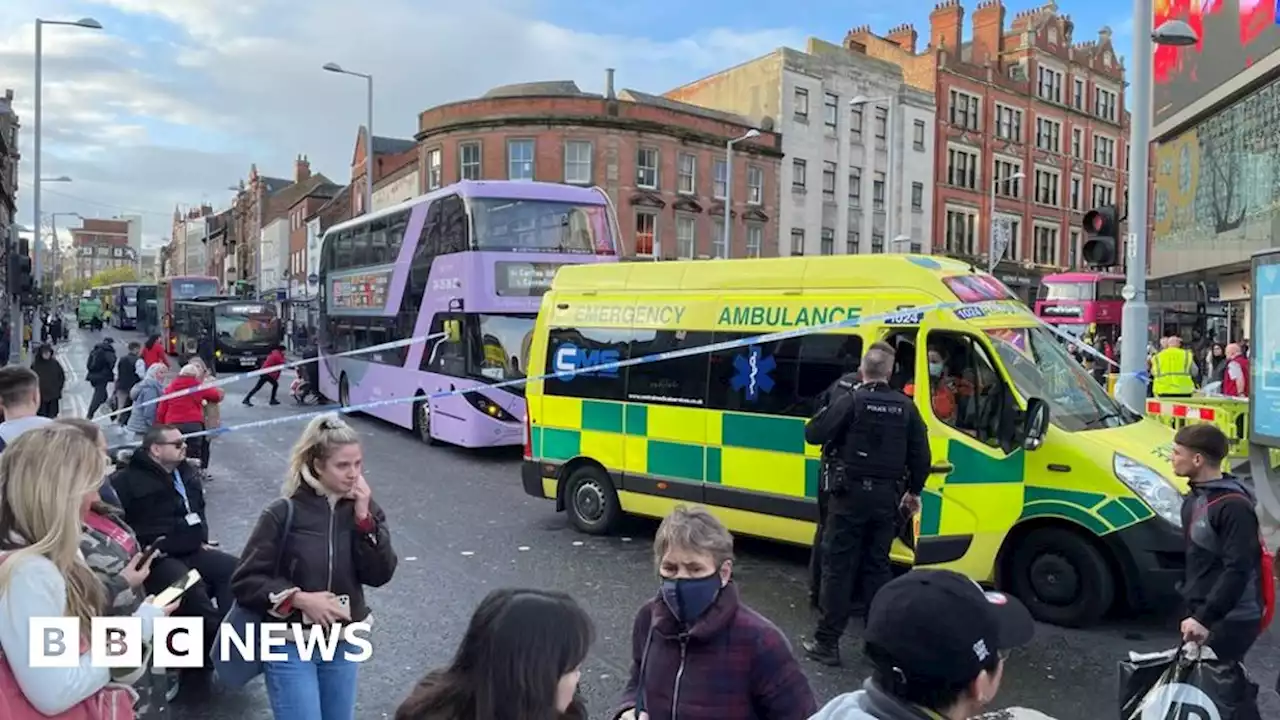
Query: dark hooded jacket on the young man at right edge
(1224, 554)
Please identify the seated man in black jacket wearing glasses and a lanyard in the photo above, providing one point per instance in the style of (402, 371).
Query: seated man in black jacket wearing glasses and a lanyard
(162, 498)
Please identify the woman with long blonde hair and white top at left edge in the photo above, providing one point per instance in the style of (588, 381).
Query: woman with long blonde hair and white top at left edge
(49, 480)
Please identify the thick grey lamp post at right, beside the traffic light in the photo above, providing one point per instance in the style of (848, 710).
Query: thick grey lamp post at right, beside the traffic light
(1133, 321)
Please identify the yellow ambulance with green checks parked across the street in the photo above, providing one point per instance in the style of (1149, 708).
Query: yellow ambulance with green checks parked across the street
(1071, 509)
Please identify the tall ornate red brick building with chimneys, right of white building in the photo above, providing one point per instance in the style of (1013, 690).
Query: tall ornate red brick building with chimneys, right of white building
(1026, 113)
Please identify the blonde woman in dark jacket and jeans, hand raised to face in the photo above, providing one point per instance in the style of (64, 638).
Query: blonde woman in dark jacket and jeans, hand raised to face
(327, 512)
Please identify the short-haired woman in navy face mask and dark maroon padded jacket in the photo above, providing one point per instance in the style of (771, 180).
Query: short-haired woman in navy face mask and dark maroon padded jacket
(728, 660)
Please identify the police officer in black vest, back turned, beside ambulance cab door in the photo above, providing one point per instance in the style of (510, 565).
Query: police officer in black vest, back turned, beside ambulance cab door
(880, 436)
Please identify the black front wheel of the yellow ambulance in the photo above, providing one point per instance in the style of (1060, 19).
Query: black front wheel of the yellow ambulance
(1063, 578)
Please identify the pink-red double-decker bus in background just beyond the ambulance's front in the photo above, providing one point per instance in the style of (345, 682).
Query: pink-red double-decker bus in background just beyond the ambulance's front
(1073, 302)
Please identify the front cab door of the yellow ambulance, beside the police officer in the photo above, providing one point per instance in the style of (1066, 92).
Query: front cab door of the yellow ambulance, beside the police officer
(975, 493)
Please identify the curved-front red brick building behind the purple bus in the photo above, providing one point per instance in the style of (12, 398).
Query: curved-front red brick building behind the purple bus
(661, 162)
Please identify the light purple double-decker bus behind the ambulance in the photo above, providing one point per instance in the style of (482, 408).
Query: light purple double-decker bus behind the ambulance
(470, 262)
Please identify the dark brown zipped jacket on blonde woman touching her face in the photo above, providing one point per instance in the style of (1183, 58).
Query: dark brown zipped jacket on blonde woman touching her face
(326, 550)
